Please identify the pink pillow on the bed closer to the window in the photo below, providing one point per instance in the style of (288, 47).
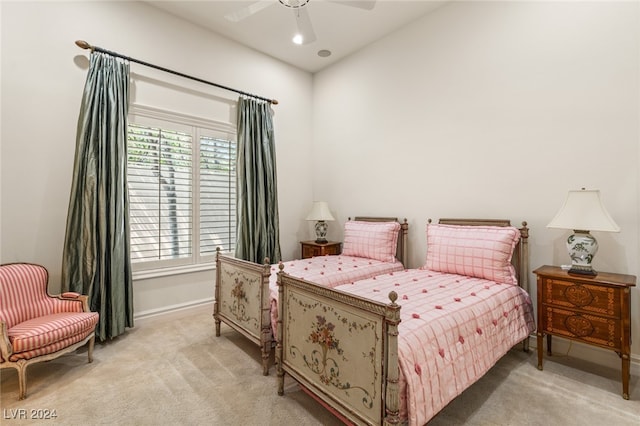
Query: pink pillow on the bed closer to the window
(372, 240)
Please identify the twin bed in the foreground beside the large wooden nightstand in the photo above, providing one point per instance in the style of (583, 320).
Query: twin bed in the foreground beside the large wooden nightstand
(392, 350)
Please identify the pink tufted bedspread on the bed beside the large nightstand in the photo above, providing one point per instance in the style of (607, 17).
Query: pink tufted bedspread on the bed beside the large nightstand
(453, 330)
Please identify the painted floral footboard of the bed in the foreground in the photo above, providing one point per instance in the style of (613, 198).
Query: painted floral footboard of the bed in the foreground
(342, 348)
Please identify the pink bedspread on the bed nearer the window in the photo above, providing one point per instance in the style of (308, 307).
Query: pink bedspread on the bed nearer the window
(329, 271)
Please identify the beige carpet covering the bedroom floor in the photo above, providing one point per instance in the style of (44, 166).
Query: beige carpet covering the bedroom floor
(173, 370)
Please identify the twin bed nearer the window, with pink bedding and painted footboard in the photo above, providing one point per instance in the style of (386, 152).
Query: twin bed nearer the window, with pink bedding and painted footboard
(246, 292)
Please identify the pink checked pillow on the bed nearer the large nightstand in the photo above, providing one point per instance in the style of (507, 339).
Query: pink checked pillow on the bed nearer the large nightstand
(474, 251)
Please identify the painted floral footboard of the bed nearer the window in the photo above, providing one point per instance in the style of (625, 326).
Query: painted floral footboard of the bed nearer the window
(242, 301)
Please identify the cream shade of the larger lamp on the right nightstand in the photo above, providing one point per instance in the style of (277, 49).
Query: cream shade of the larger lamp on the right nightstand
(583, 210)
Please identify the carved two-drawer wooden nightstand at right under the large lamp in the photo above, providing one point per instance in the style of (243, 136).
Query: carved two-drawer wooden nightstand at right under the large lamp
(592, 310)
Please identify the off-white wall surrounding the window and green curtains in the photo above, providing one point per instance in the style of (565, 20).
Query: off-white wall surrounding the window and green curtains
(43, 74)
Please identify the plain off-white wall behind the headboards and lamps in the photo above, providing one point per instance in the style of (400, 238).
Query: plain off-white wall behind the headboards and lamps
(490, 109)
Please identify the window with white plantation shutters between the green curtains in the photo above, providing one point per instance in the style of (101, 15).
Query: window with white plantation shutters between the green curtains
(181, 177)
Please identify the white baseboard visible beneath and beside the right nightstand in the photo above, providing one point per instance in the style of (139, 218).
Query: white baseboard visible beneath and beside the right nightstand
(589, 353)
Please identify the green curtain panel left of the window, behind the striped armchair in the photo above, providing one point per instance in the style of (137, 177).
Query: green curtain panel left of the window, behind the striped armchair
(96, 257)
